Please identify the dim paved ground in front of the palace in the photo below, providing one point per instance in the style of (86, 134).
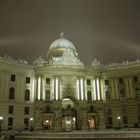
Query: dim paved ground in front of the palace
(122, 134)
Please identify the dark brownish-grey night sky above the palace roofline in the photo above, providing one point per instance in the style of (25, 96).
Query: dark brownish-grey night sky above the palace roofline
(108, 30)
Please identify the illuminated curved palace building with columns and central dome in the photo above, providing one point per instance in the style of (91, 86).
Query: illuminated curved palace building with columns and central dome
(61, 93)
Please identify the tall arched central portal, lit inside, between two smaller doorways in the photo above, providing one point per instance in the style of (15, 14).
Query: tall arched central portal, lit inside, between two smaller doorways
(69, 115)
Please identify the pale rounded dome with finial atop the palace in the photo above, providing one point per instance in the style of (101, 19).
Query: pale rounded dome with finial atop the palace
(58, 47)
